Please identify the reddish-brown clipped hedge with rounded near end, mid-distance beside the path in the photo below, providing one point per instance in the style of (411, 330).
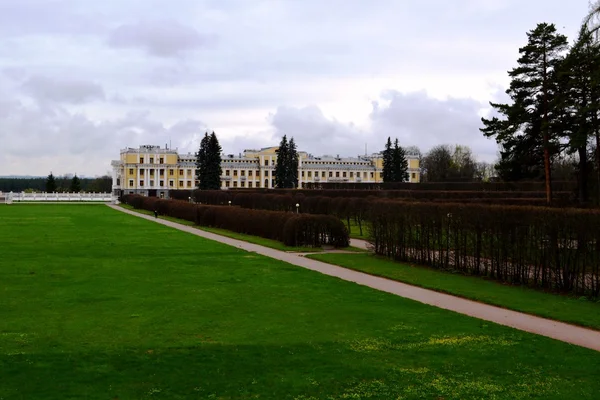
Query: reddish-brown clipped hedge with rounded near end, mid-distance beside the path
(289, 228)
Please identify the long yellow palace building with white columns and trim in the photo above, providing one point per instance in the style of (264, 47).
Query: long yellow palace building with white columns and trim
(154, 171)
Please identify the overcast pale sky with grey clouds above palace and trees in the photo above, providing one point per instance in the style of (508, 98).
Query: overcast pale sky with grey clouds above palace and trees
(82, 79)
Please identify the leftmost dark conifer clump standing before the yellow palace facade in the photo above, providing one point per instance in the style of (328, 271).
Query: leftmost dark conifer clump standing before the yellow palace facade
(208, 163)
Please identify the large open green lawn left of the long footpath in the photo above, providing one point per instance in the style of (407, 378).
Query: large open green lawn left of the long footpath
(97, 304)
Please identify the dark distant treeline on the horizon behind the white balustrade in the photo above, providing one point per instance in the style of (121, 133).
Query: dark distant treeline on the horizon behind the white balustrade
(101, 184)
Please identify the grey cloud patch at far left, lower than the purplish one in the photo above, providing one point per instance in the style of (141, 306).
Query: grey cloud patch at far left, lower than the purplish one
(62, 90)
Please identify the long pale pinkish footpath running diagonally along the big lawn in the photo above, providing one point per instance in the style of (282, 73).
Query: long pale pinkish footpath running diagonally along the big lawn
(556, 330)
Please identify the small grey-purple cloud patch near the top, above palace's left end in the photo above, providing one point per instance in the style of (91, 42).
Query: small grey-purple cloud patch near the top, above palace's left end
(158, 38)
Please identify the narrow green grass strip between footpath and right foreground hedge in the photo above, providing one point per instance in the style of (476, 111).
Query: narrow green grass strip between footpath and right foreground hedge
(561, 308)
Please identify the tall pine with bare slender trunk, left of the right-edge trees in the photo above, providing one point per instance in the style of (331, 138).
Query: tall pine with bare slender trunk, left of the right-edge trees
(531, 91)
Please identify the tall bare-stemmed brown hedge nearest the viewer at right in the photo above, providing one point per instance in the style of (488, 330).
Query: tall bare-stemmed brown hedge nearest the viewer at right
(540, 247)
